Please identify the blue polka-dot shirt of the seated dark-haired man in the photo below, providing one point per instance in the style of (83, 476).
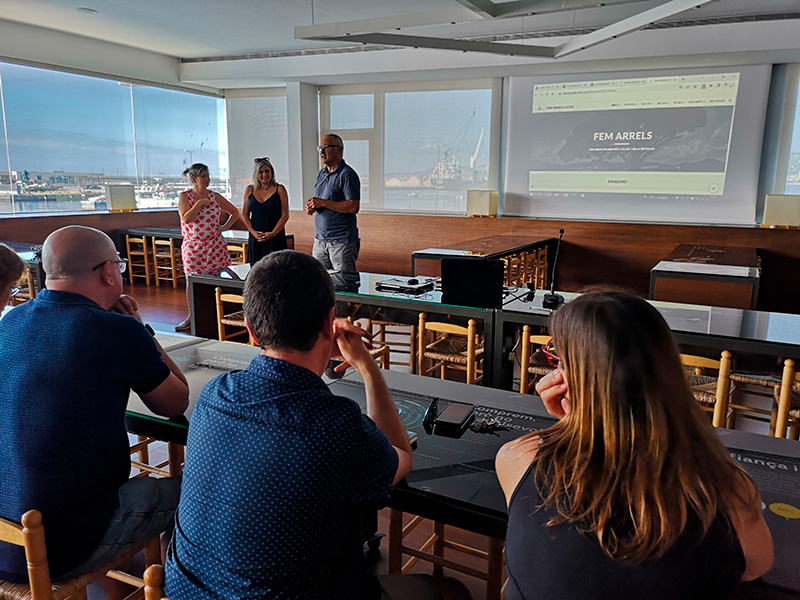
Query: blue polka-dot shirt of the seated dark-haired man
(278, 470)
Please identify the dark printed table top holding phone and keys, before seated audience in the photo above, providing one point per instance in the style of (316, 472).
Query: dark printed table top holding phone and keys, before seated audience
(453, 480)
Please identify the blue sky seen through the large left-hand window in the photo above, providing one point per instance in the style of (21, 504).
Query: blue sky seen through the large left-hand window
(61, 121)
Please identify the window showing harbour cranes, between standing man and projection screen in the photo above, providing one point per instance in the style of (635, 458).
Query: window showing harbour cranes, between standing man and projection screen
(425, 145)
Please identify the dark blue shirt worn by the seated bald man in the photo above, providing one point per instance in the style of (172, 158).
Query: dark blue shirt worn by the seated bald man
(66, 370)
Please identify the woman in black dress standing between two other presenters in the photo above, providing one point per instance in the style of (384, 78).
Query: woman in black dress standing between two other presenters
(265, 212)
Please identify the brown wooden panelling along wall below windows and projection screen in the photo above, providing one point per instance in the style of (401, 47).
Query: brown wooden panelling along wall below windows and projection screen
(592, 253)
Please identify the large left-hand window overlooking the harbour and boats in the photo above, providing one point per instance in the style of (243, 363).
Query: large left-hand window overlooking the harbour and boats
(65, 136)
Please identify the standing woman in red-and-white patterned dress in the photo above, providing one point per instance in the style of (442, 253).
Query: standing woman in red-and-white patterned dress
(204, 251)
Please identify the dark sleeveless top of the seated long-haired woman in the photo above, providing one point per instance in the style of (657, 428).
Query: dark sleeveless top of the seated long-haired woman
(560, 563)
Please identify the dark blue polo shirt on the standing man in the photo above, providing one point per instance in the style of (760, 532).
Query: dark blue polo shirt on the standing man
(339, 185)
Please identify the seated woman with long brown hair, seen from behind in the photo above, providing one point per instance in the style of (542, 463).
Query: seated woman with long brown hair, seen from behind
(631, 494)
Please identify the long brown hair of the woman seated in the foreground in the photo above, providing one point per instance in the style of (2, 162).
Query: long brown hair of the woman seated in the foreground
(635, 458)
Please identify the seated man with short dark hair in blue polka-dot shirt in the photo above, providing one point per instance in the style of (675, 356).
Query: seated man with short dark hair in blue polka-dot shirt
(278, 469)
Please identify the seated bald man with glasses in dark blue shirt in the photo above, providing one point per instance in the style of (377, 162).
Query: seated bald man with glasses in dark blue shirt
(68, 361)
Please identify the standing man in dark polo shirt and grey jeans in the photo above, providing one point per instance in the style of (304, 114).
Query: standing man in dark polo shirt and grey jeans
(337, 198)
